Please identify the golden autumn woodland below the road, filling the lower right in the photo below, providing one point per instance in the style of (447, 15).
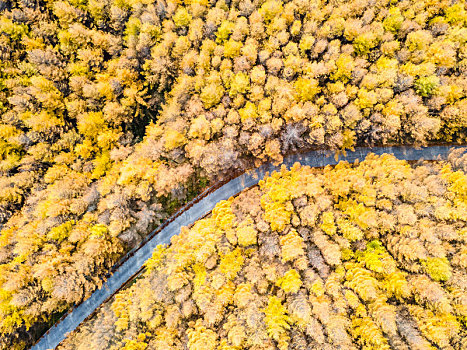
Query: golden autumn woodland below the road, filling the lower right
(365, 256)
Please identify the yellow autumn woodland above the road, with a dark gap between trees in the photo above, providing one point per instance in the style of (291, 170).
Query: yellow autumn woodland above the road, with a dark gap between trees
(115, 112)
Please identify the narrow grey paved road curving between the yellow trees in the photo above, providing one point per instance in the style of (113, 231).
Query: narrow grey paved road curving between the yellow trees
(134, 263)
